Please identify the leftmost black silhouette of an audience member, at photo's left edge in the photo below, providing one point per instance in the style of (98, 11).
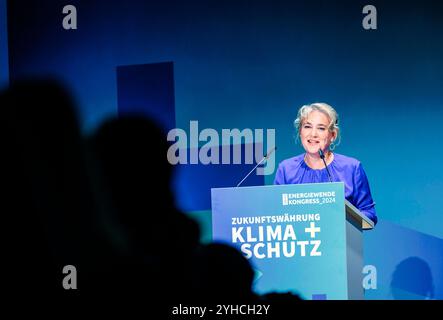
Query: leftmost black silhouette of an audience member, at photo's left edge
(49, 201)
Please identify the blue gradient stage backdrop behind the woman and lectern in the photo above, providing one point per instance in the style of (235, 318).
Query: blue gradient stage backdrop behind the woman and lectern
(242, 64)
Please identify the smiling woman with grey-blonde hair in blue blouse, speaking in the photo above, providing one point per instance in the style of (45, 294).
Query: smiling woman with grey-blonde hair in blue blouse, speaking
(319, 132)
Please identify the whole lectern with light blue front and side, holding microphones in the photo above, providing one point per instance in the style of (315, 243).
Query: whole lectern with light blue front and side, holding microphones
(304, 238)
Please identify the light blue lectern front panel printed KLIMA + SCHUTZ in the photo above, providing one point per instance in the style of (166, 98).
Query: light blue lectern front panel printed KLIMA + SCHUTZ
(307, 275)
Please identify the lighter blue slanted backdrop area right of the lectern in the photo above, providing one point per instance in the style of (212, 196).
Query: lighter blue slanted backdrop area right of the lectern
(409, 263)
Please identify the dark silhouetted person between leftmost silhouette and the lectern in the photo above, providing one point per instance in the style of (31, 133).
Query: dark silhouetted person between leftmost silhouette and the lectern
(131, 160)
